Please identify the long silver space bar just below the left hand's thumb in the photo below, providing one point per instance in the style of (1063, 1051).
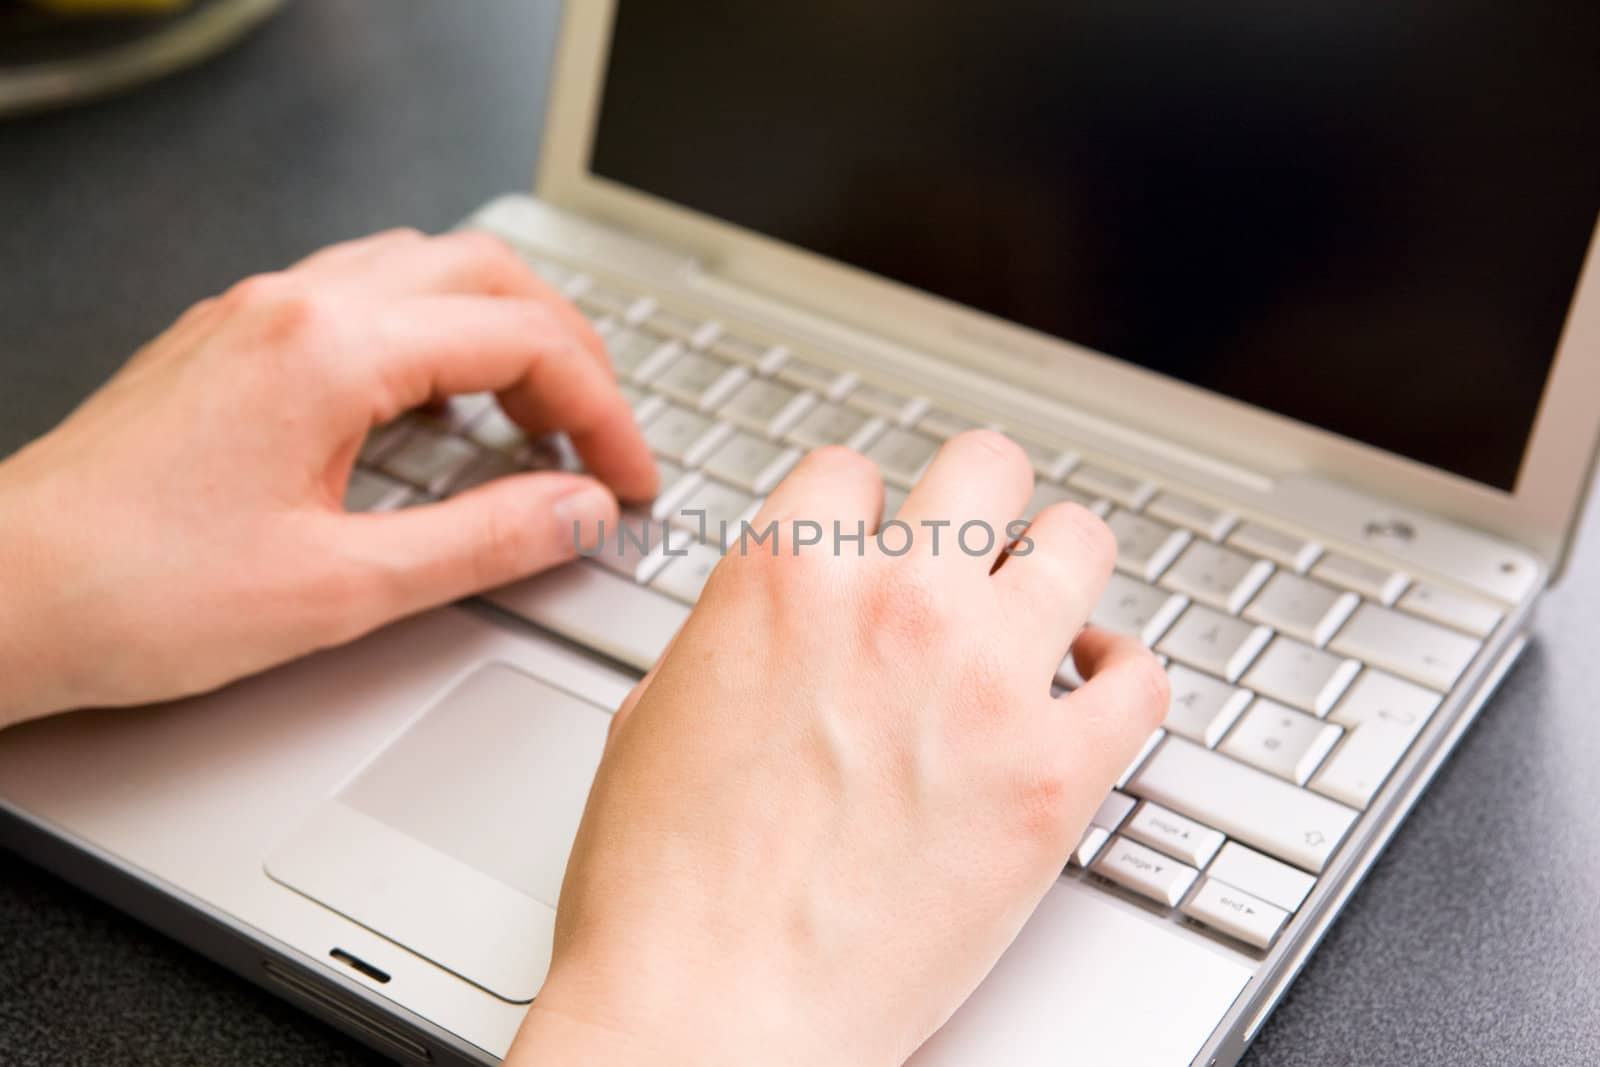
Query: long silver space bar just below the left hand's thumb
(596, 609)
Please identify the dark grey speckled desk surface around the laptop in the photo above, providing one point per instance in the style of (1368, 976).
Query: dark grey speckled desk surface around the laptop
(1474, 941)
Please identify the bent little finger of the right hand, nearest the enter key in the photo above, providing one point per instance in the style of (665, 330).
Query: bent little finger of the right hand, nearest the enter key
(1113, 714)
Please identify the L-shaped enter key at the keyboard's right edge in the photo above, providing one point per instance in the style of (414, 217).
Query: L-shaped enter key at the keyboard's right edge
(1383, 717)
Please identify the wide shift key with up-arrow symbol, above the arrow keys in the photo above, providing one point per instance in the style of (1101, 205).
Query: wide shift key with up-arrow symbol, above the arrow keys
(1244, 804)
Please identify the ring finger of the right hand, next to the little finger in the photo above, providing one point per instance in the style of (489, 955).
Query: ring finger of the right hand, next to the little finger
(1055, 575)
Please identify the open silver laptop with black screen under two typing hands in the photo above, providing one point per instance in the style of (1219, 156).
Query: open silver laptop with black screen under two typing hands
(1302, 302)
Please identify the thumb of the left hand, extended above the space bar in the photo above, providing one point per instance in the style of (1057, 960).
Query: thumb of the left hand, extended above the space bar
(492, 535)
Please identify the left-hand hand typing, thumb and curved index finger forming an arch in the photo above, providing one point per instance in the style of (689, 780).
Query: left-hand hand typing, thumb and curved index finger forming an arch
(185, 526)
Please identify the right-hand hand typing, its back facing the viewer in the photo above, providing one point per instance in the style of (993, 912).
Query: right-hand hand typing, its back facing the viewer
(839, 796)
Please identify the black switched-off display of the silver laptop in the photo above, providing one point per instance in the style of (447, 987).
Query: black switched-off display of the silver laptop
(1367, 217)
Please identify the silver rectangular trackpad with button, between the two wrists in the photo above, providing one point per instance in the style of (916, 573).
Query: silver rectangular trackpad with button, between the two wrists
(454, 841)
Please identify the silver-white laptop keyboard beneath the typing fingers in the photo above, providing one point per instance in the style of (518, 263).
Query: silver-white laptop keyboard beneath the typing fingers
(1300, 676)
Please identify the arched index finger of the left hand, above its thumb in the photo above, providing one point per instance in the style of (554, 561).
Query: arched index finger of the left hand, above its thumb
(450, 345)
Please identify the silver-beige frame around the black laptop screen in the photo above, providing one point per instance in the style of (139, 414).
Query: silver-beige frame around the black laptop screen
(1540, 511)
